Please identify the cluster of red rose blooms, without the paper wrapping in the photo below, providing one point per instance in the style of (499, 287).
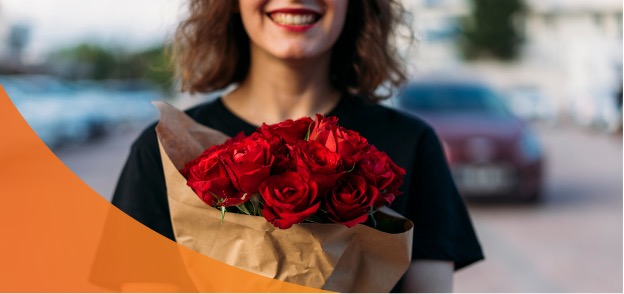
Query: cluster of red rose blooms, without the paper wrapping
(297, 171)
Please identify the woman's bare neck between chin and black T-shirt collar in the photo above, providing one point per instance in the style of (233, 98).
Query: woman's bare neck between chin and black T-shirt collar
(276, 89)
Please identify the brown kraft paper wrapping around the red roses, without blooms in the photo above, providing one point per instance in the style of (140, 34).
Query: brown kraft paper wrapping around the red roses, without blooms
(324, 256)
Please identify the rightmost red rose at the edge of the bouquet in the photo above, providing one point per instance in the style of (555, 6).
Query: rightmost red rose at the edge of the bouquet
(382, 172)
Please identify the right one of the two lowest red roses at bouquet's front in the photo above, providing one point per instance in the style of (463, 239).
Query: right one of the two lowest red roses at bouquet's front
(350, 202)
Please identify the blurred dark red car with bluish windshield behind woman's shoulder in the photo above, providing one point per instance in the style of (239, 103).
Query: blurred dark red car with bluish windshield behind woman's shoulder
(491, 152)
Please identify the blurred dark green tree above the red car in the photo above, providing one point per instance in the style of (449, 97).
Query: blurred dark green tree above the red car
(493, 29)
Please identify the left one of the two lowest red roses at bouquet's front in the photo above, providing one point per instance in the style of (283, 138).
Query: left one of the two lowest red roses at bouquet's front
(289, 199)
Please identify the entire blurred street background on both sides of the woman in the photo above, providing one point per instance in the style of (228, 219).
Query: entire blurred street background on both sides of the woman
(526, 97)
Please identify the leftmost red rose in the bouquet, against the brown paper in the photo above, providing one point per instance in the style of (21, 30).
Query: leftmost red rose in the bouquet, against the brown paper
(208, 177)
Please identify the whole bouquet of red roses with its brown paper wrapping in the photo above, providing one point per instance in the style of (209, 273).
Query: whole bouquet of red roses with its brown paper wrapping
(296, 195)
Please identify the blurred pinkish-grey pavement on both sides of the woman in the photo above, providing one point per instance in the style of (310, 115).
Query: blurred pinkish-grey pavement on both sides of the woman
(570, 242)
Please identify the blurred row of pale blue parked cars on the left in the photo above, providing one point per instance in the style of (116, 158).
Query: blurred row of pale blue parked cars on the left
(63, 113)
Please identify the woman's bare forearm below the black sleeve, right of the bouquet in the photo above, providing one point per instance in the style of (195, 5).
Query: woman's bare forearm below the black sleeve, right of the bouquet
(432, 276)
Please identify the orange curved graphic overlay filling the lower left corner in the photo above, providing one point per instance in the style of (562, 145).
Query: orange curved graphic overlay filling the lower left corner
(59, 235)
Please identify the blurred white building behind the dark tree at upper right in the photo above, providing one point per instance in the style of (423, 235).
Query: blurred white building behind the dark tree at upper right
(571, 57)
